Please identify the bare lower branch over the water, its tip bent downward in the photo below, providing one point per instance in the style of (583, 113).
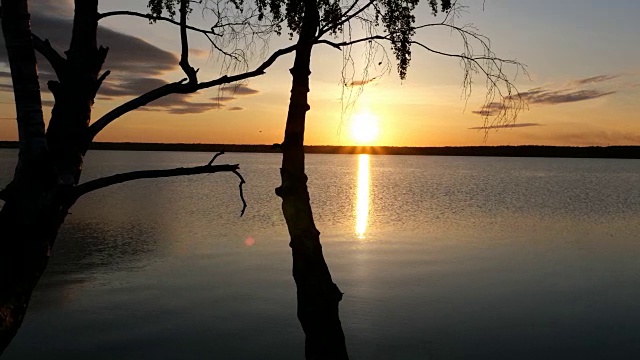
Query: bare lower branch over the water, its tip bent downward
(104, 182)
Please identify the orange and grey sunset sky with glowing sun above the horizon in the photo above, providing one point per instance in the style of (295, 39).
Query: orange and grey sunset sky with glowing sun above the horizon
(582, 87)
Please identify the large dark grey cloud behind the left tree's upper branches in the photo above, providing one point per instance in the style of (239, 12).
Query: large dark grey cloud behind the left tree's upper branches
(136, 66)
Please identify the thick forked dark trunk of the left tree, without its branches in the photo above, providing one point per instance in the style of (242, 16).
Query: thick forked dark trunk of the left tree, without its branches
(49, 166)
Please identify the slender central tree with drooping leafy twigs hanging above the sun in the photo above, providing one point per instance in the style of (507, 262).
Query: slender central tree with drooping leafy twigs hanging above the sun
(312, 20)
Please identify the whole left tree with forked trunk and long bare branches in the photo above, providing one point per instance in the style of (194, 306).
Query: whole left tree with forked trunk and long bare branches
(46, 183)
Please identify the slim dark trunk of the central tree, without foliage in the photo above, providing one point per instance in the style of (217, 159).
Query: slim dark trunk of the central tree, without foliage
(318, 297)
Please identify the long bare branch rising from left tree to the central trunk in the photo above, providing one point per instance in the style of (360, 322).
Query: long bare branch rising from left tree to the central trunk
(179, 87)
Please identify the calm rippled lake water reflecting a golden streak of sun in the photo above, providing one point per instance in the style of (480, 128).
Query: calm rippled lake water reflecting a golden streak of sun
(439, 258)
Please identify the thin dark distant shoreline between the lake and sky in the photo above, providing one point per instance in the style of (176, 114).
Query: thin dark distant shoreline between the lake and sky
(611, 152)
